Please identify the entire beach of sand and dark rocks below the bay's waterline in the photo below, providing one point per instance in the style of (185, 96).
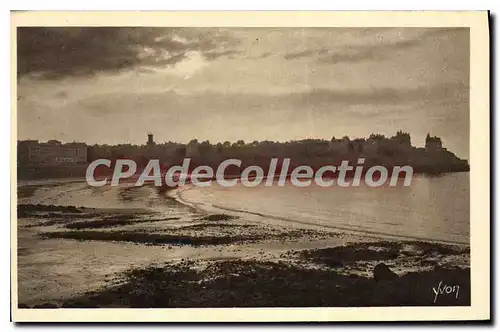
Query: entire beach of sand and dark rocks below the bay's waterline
(140, 258)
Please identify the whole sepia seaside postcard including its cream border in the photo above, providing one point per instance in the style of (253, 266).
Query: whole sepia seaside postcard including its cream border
(250, 166)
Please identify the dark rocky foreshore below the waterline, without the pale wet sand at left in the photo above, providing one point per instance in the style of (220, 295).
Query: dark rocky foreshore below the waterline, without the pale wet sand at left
(370, 272)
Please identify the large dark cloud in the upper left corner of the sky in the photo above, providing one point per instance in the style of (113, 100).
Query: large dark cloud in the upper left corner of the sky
(59, 52)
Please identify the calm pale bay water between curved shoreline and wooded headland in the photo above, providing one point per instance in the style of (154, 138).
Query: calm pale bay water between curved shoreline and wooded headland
(432, 208)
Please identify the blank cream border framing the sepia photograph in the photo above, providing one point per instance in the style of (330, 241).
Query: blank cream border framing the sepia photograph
(479, 161)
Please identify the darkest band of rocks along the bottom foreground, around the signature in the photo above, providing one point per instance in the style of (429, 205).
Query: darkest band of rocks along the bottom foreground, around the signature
(251, 283)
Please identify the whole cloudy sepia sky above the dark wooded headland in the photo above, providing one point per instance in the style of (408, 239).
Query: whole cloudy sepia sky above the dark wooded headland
(114, 85)
